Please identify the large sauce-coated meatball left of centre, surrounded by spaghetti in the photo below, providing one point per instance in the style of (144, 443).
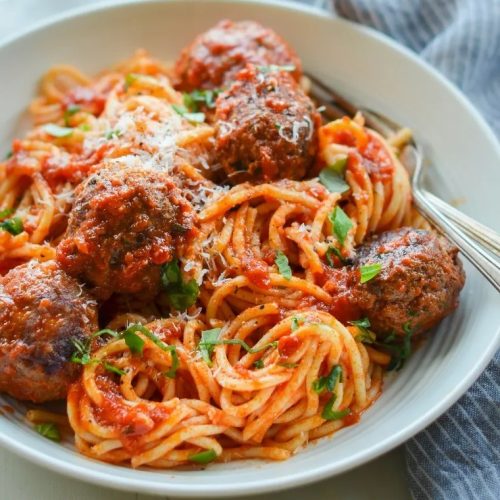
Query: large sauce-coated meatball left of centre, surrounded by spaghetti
(125, 223)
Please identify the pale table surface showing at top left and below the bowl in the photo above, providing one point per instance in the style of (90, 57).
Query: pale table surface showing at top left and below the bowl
(19, 479)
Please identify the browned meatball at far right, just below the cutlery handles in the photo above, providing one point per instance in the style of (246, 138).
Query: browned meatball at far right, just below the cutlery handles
(418, 285)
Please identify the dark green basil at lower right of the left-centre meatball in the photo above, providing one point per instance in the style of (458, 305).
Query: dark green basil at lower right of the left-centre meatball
(180, 294)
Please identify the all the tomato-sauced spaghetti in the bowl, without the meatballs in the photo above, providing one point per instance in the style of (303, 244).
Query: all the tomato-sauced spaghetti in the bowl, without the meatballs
(259, 365)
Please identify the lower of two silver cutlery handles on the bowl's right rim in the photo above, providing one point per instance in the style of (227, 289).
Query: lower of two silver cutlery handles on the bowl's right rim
(484, 263)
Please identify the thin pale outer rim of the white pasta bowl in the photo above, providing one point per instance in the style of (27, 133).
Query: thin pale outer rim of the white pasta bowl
(139, 484)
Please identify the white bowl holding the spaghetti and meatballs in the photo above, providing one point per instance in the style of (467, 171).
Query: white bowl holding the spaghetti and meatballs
(378, 73)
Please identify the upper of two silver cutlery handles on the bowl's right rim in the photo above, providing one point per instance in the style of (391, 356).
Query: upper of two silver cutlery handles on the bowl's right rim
(488, 237)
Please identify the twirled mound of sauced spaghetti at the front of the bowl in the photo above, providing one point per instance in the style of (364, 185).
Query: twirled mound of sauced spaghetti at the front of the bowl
(261, 386)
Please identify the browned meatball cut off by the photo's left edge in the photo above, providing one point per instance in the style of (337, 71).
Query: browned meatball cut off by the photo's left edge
(42, 312)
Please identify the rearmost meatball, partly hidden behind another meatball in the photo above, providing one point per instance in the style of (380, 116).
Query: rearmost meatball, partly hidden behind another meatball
(214, 57)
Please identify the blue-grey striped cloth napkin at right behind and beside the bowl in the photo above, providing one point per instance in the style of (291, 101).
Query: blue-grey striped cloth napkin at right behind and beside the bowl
(458, 456)
